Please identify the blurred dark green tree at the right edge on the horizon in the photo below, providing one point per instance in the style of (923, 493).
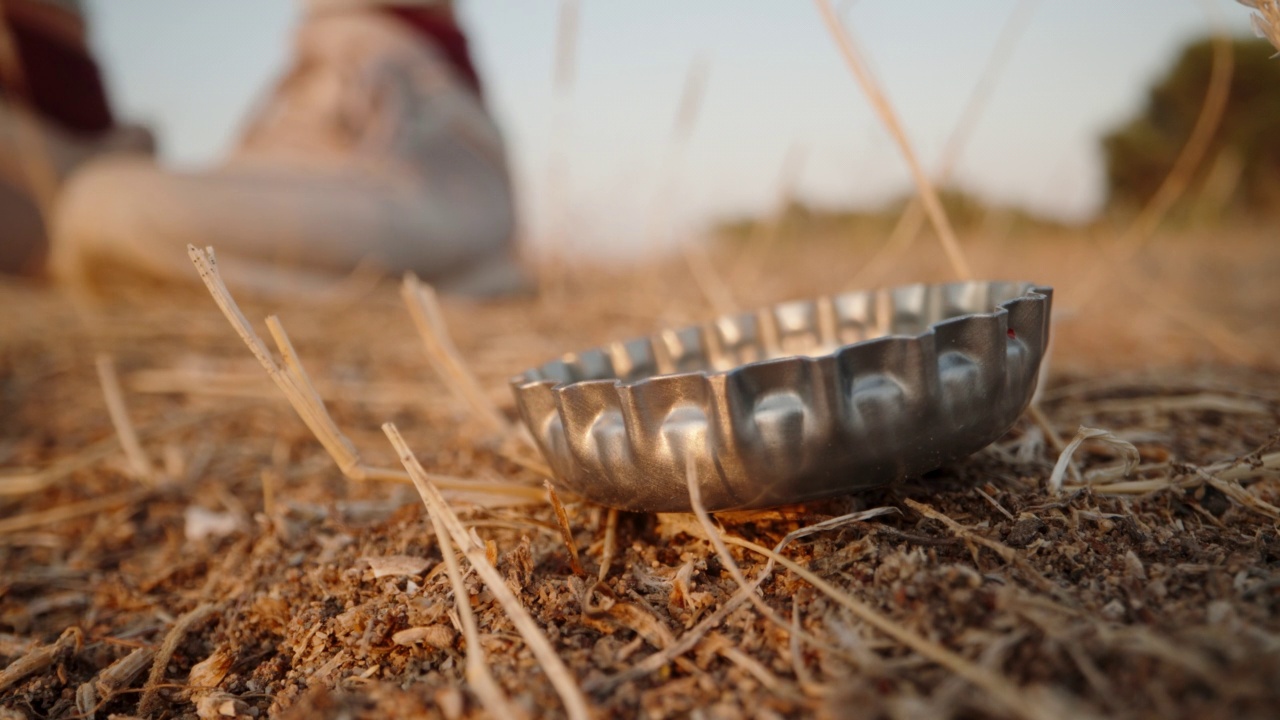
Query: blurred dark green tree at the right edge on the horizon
(1242, 170)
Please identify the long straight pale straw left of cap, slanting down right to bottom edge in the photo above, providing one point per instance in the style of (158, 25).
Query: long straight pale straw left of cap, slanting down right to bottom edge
(560, 677)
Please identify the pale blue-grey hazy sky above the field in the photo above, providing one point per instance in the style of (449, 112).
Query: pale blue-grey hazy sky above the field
(776, 98)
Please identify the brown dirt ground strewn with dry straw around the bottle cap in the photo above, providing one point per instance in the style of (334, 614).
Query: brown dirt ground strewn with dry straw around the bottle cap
(236, 572)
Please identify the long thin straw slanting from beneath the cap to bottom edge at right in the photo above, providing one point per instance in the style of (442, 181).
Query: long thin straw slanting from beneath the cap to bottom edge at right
(1007, 694)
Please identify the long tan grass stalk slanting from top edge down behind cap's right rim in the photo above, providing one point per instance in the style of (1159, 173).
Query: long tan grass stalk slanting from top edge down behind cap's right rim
(929, 194)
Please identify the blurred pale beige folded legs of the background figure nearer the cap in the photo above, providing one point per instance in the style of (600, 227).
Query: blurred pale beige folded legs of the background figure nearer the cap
(373, 147)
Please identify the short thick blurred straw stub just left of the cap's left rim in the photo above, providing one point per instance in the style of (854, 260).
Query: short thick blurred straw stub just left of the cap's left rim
(445, 357)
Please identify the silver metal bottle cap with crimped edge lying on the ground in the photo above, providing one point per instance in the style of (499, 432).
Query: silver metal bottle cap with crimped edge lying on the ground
(794, 403)
